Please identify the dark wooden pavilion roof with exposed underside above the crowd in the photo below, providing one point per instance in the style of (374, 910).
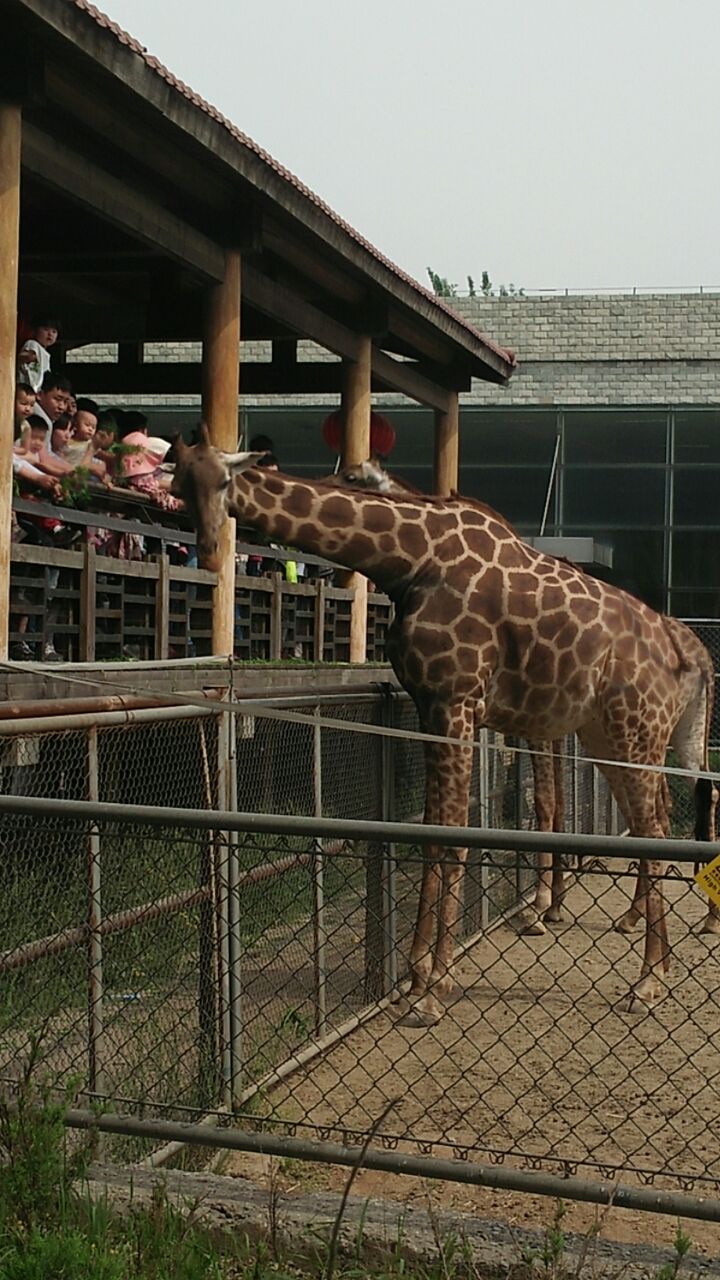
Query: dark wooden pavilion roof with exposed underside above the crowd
(134, 186)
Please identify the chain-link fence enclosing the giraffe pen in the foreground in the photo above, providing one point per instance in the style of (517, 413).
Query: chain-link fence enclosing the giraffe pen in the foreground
(179, 971)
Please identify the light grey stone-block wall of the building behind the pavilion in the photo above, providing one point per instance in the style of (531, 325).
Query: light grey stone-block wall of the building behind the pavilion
(586, 350)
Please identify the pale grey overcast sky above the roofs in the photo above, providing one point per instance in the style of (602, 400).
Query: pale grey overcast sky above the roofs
(555, 144)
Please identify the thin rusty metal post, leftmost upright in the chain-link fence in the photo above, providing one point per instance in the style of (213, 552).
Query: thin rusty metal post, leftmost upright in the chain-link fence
(95, 985)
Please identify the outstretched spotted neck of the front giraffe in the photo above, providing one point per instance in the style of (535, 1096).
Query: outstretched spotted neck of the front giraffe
(358, 531)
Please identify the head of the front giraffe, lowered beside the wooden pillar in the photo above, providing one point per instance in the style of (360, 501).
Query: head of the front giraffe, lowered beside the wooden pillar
(203, 478)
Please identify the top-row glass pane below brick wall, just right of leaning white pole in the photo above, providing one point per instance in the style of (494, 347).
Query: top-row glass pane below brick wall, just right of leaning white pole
(616, 436)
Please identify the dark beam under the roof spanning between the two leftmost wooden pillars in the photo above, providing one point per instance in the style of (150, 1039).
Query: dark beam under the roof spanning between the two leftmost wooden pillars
(113, 200)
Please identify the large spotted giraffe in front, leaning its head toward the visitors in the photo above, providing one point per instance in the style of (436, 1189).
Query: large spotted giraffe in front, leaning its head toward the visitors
(491, 632)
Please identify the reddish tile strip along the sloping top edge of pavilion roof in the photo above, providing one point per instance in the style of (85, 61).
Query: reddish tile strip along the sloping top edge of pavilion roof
(156, 66)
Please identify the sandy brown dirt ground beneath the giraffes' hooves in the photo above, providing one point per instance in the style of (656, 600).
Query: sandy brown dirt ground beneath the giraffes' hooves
(535, 1062)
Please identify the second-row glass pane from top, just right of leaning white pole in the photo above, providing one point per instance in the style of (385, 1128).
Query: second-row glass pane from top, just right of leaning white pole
(605, 496)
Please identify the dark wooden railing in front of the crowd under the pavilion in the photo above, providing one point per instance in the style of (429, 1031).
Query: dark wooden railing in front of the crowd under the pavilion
(93, 609)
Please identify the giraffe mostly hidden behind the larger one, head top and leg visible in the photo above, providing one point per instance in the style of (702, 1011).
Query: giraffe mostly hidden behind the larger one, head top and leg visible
(546, 760)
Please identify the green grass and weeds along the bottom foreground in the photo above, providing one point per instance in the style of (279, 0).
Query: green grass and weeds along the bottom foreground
(53, 1229)
